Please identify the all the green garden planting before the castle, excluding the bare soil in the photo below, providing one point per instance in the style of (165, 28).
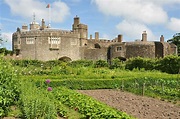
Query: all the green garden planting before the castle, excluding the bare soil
(48, 89)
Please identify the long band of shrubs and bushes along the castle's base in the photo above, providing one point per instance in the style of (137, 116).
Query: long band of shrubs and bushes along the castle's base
(168, 64)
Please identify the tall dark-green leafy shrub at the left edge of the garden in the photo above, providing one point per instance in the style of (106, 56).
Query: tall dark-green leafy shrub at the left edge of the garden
(9, 92)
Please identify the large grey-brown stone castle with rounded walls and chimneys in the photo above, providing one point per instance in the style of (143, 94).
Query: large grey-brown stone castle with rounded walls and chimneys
(40, 42)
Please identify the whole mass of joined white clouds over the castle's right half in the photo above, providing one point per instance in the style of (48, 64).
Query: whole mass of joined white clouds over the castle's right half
(137, 16)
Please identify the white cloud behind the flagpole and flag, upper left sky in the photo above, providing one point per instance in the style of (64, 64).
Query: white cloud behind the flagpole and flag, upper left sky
(26, 8)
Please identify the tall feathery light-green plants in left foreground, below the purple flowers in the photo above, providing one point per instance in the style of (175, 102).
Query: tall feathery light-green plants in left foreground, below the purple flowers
(36, 102)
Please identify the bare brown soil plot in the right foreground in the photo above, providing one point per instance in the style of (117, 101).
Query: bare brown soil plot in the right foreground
(140, 107)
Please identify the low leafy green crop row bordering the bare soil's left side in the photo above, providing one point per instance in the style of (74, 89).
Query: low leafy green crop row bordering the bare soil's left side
(90, 108)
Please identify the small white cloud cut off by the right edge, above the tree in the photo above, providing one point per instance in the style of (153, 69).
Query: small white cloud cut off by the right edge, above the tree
(174, 24)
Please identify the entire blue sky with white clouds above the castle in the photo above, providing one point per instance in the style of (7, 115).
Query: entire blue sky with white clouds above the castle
(109, 17)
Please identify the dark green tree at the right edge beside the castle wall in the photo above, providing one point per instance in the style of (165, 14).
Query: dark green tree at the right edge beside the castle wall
(176, 40)
